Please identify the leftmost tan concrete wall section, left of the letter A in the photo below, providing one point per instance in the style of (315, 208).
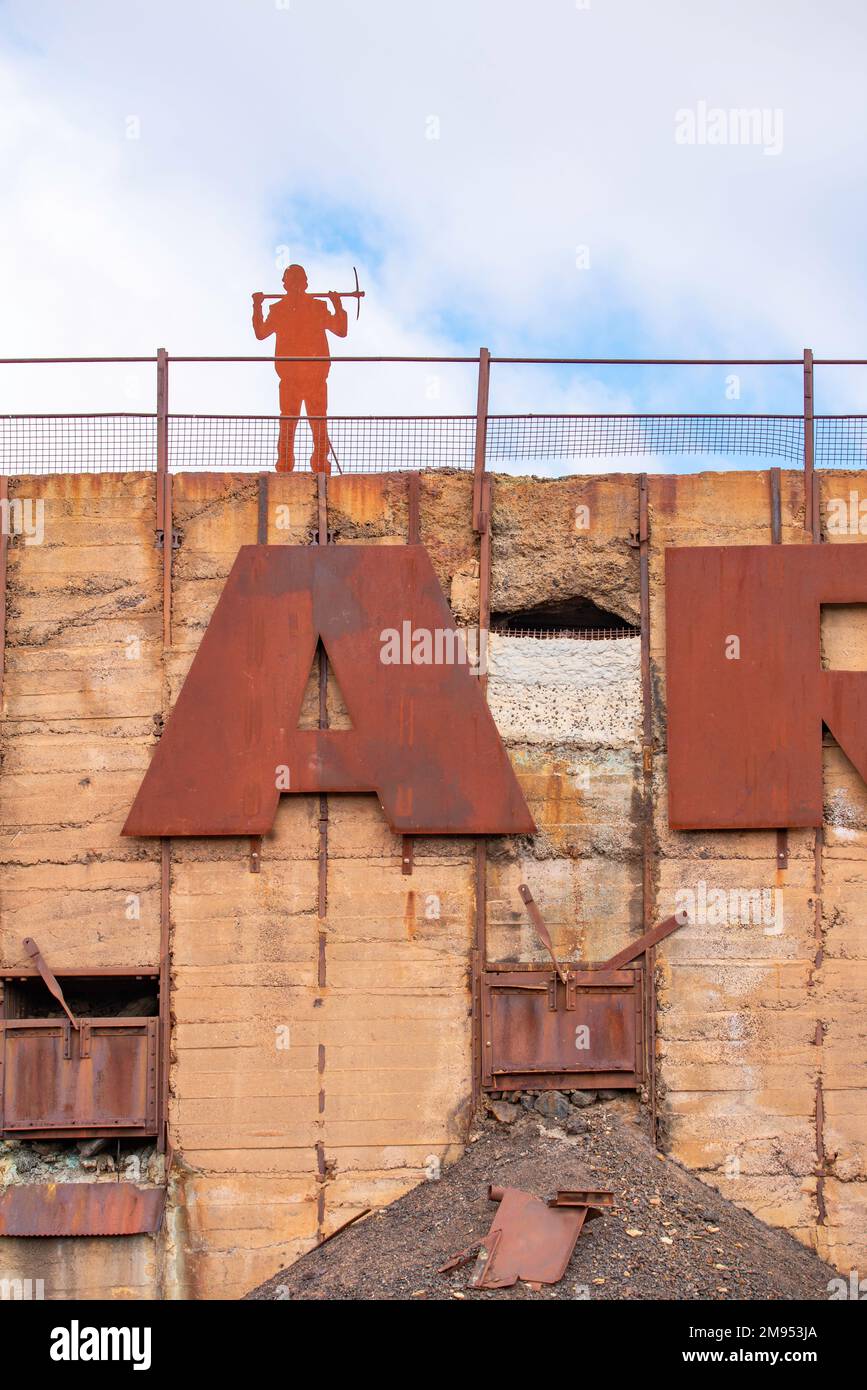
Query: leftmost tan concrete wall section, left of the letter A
(83, 694)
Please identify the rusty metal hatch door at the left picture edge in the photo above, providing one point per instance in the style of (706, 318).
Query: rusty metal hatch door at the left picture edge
(90, 1082)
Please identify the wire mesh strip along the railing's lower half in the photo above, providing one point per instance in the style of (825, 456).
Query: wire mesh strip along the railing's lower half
(384, 444)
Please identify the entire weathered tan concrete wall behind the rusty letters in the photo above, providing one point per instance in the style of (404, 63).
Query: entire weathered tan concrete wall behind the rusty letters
(297, 1104)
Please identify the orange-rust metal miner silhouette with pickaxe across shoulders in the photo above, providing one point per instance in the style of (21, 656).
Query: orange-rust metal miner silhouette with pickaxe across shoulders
(301, 322)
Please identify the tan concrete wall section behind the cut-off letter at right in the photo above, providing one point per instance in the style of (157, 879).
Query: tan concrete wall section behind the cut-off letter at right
(762, 1025)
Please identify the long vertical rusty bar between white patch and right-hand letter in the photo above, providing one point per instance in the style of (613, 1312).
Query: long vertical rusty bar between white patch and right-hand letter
(648, 900)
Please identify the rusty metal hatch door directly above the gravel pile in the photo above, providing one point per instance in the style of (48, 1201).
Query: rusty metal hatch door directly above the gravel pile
(541, 1032)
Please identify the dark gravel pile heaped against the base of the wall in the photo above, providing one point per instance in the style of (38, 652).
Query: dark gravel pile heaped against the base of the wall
(669, 1236)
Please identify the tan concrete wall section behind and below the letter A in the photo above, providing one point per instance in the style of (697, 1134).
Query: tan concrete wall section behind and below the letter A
(298, 1103)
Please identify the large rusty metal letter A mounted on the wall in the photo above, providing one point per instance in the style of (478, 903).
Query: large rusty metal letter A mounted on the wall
(423, 737)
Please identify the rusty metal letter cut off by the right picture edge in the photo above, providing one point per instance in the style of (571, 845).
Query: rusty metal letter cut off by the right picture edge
(747, 694)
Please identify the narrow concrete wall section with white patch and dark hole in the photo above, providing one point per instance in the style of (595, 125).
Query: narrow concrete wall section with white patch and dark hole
(575, 730)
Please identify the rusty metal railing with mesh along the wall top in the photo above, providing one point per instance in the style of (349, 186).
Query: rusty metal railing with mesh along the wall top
(163, 441)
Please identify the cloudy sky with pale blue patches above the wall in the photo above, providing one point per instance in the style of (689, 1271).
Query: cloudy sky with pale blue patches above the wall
(548, 179)
